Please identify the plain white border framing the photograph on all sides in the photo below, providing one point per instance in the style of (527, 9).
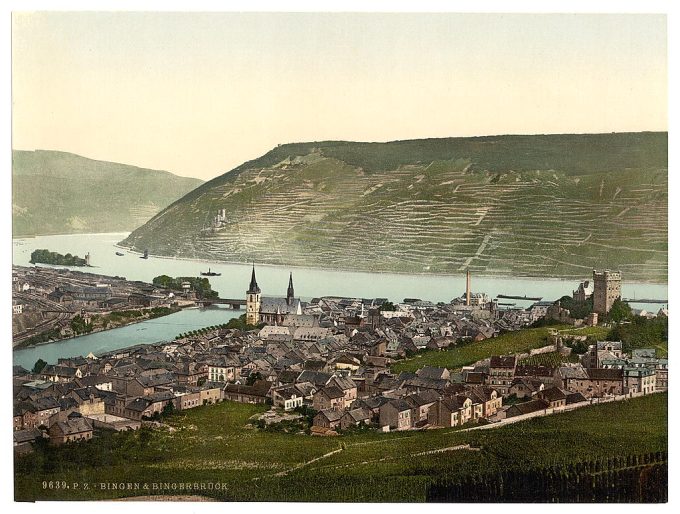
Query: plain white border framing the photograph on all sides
(517, 6)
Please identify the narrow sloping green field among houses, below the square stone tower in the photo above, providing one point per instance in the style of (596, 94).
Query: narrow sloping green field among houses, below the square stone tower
(458, 356)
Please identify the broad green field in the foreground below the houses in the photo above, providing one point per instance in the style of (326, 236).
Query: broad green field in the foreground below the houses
(214, 444)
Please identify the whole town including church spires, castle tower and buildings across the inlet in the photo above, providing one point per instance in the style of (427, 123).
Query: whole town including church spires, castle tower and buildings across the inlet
(329, 365)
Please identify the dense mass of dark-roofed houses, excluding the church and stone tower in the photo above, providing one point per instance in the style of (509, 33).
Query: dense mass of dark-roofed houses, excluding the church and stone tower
(334, 357)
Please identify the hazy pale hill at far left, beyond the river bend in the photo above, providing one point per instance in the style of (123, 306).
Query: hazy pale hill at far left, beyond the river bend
(63, 193)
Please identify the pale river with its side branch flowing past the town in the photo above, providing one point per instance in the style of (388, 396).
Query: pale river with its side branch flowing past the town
(273, 280)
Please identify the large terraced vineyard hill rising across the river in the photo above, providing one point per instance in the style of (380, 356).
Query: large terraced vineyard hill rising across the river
(542, 206)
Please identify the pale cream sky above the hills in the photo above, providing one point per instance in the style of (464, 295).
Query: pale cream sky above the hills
(198, 94)
